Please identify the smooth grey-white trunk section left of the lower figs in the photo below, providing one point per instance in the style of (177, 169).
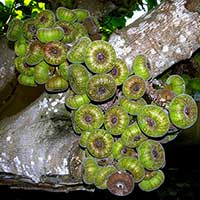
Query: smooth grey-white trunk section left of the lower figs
(38, 147)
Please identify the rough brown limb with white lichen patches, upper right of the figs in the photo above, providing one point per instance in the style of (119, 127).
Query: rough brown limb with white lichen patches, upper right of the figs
(166, 35)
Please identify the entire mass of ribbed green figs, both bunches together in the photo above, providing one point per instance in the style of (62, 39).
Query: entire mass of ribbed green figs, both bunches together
(122, 115)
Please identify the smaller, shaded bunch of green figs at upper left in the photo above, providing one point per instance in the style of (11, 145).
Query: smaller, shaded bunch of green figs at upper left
(42, 45)
